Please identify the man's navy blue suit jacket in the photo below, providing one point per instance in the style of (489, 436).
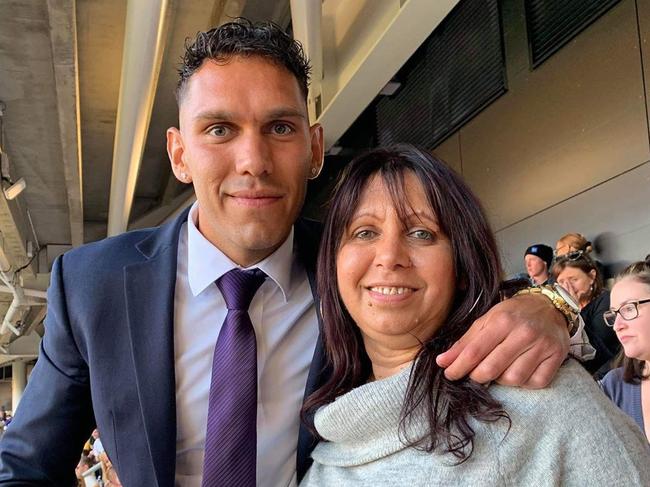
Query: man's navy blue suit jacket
(107, 358)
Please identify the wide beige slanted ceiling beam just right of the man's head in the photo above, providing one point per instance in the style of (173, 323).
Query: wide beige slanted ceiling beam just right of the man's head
(365, 42)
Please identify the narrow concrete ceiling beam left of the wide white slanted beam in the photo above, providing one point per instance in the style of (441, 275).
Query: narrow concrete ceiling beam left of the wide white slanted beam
(63, 36)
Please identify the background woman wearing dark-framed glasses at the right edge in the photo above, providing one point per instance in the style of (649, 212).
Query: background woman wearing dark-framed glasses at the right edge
(628, 386)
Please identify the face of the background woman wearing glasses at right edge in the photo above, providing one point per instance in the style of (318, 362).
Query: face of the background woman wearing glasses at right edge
(634, 335)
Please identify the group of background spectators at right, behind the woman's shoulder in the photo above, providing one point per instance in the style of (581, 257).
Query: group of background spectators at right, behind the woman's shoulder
(616, 317)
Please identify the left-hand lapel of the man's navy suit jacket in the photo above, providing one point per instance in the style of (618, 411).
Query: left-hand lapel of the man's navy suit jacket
(149, 290)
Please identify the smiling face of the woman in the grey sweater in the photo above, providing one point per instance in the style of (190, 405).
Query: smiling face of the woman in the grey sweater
(397, 281)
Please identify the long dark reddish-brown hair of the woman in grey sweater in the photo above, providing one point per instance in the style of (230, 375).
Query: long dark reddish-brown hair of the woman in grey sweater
(448, 404)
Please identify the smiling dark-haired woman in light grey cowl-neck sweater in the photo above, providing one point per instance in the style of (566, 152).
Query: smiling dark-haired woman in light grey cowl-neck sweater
(407, 263)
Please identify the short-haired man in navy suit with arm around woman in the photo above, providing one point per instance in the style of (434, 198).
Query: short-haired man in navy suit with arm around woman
(133, 320)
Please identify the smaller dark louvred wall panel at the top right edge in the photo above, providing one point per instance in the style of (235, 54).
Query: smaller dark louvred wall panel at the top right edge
(553, 23)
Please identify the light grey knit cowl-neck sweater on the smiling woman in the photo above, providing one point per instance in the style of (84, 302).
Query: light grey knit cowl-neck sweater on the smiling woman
(566, 434)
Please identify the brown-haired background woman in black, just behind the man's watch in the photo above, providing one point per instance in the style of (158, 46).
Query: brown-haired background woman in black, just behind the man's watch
(578, 274)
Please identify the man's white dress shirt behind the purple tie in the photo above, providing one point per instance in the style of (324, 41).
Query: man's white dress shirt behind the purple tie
(286, 328)
